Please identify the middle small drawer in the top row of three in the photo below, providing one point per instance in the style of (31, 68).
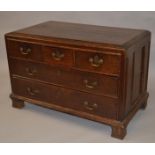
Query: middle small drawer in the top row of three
(58, 56)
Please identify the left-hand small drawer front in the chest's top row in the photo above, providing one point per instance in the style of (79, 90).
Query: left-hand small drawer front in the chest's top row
(24, 50)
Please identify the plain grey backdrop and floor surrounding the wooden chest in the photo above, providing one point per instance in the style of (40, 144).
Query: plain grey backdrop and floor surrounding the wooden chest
(36, 124)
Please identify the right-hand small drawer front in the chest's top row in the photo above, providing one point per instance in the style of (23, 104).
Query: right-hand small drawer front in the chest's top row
(98, 62)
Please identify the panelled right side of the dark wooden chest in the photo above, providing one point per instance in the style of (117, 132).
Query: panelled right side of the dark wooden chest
(137, 73)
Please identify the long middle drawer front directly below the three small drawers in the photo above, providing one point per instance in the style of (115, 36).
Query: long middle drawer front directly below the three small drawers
(89, 82)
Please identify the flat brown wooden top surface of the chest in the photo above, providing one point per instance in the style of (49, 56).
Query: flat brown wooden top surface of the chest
(82, 32)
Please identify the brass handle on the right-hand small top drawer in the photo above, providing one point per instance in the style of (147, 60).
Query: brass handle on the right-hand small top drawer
(96, 61)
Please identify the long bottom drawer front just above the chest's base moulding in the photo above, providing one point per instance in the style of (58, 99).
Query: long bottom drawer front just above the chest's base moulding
(66, 98)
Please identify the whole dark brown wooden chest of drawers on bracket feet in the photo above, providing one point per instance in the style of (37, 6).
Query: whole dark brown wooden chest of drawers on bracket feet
(95, 72)
